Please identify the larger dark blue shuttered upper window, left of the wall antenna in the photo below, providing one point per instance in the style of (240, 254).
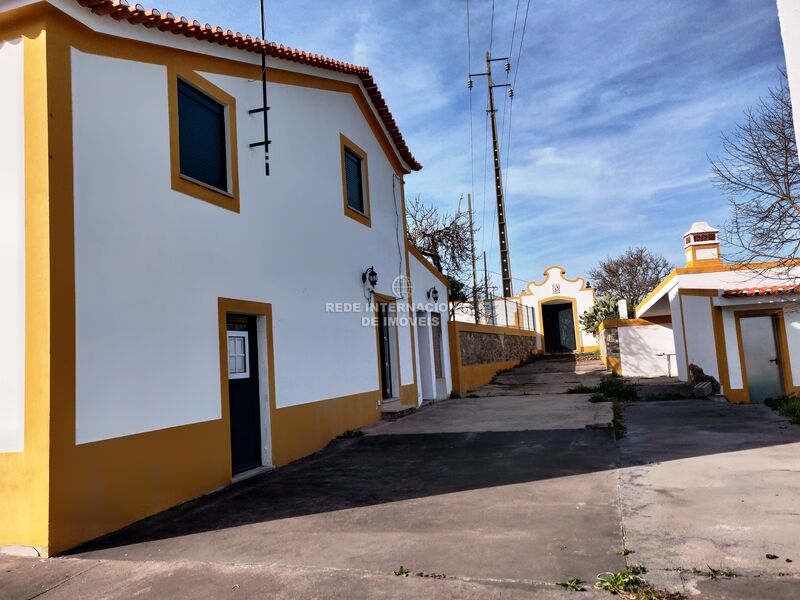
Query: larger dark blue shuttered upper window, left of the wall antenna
(202, 132)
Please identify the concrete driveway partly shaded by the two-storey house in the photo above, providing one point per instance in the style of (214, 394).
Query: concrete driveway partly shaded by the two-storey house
(505, 492)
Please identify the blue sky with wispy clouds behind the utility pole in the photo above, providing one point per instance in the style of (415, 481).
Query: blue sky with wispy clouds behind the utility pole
(617, 104)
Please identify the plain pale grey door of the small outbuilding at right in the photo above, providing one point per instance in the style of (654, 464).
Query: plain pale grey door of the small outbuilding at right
(761, 359)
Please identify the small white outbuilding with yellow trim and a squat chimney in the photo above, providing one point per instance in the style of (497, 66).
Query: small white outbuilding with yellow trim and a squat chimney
(740, 323)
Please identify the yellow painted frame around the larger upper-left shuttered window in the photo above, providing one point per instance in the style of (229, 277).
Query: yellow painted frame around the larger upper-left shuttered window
(228, 199)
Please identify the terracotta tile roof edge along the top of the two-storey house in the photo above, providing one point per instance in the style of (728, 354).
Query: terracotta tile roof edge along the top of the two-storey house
(153, 18)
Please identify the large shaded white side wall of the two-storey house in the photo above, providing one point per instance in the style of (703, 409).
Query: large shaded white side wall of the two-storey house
(150, 262)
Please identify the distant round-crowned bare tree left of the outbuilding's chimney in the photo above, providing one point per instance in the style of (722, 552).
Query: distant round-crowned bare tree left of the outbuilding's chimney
(631, 275)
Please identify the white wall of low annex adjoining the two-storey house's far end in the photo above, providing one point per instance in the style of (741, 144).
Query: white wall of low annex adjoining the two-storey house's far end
(427, 386)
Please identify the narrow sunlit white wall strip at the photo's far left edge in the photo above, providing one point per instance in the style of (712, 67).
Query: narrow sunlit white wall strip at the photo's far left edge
(12, 249)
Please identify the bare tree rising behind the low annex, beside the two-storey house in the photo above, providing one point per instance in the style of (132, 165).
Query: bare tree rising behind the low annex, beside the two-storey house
(444, 238)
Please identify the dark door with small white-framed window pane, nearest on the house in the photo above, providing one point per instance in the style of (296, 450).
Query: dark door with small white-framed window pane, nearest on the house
(243, 392)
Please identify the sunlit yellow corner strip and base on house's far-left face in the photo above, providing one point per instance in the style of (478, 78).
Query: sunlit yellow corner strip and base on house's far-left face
(24, 476)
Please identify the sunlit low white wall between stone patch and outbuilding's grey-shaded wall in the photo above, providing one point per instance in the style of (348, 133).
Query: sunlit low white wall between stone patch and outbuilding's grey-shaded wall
(639, 349)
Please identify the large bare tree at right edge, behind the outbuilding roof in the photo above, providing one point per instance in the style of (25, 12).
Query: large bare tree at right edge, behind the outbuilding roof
(759, 172)
